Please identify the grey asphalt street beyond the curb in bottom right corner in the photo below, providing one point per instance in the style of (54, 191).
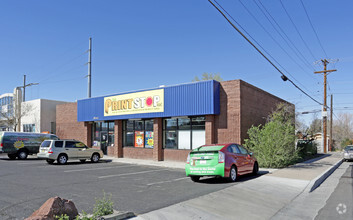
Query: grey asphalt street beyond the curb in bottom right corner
(339, 205)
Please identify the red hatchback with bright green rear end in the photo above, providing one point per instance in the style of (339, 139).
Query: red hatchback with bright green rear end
(222, 160)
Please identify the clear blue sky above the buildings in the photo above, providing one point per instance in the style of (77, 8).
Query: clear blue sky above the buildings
(140, 44)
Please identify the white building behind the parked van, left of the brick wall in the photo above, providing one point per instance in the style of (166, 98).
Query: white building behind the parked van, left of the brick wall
(39, 115)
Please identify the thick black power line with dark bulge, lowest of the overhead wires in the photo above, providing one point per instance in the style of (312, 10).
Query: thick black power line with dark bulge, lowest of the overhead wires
(284, 77)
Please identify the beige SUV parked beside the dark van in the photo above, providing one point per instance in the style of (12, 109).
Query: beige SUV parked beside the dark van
(64, 150)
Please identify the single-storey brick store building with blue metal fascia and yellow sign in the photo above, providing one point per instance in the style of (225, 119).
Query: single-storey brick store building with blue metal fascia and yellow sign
(166, 123)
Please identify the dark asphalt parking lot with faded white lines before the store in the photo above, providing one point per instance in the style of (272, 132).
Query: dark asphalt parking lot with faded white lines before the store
(26, 184)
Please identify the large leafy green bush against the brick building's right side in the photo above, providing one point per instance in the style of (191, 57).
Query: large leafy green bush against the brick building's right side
(274, 142)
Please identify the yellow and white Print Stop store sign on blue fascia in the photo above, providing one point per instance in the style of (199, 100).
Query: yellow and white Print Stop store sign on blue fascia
(135, 103)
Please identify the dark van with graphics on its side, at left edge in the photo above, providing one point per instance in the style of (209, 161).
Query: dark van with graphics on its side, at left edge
(21, 144)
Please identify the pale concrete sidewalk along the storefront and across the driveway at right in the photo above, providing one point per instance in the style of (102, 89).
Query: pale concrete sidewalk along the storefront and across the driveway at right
(280, 194)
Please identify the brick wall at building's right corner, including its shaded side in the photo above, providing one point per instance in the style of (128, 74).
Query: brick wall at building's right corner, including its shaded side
(241, 106)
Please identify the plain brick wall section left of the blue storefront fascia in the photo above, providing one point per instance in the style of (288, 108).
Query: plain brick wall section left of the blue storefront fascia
(67, 126)
